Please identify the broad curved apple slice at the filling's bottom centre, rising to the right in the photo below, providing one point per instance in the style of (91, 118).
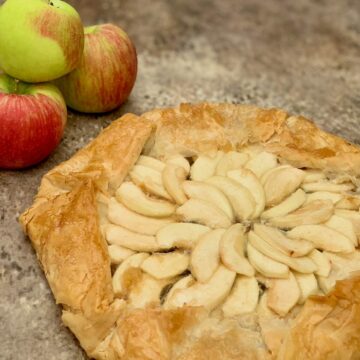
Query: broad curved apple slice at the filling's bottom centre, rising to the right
(208, 295)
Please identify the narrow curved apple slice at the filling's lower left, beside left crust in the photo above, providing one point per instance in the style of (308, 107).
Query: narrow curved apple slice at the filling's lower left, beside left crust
(119, 278)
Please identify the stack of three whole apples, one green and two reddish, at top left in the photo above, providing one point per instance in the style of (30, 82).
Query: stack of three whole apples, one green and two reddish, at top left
(49, 61)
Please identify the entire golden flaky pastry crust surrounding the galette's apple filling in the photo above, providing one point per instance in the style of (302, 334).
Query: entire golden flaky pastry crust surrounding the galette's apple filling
(64, 228)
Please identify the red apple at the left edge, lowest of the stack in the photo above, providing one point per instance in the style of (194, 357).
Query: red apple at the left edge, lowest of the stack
(32, 122)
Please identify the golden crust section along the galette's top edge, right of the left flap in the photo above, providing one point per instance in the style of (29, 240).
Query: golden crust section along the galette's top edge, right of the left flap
(206, 128)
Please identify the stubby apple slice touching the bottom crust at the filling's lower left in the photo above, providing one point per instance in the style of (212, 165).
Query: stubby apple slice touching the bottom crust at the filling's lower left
(146, 291)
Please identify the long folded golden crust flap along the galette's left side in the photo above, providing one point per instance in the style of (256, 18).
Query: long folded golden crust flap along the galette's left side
(63, 227)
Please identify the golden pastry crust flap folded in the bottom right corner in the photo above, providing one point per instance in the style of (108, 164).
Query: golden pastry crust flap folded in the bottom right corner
(328, 327)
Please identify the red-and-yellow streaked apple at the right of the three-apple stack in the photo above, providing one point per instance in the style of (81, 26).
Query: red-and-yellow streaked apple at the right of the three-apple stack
(106, 74)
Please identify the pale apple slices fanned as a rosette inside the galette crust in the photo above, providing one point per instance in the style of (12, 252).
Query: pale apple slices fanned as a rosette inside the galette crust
(218, 232)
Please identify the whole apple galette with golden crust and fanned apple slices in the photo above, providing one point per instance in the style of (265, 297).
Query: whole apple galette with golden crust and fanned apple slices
(208, 231)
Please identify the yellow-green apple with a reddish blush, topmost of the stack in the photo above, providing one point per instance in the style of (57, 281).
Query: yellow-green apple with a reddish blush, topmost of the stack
(39, 42)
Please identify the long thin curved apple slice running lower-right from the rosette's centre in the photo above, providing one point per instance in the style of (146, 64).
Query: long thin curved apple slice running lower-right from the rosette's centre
(300, 264)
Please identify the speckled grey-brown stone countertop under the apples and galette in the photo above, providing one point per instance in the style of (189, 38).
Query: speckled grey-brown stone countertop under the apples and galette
(302, 56)
